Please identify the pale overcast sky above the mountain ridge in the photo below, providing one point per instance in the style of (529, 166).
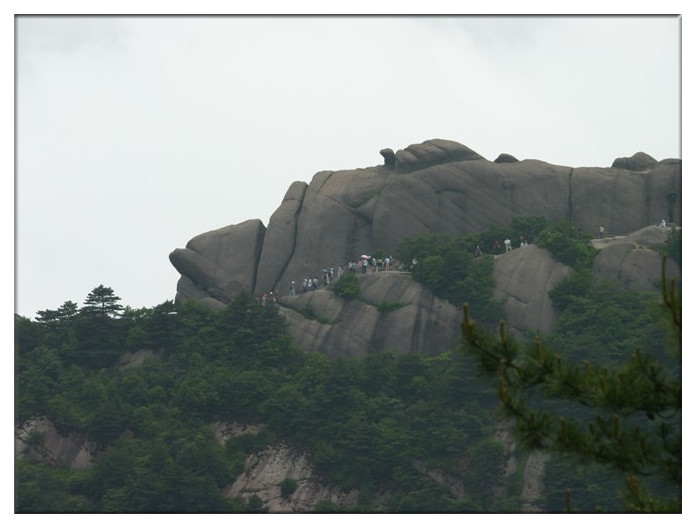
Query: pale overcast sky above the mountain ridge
(135, 134)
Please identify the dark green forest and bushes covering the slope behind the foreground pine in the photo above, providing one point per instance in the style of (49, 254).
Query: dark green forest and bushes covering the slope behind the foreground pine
(364, 420)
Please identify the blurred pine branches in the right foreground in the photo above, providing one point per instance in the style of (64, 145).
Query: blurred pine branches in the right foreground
(628, 417)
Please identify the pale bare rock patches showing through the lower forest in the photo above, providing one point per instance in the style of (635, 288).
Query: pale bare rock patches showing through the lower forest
(266, 469)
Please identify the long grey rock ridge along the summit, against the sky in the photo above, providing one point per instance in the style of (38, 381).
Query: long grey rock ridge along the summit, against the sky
(437, 185)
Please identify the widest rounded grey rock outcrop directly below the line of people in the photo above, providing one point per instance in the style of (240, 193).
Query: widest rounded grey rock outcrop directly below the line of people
(393, 313)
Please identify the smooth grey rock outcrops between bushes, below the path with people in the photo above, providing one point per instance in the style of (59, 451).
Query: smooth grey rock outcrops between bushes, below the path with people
(419, 322)
